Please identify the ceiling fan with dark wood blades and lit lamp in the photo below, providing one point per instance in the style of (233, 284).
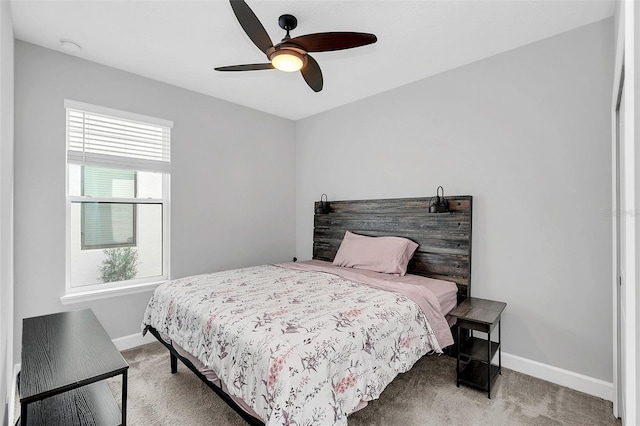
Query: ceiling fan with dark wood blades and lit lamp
(292, 54)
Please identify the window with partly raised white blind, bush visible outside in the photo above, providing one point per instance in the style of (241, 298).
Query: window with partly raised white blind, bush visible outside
(118, 171)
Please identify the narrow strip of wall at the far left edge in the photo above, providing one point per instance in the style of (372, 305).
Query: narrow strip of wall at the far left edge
(6, 205)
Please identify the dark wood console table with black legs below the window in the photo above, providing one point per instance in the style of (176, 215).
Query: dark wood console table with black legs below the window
(65, 359)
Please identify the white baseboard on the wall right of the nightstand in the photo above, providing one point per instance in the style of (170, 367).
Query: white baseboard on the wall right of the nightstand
(576, 381)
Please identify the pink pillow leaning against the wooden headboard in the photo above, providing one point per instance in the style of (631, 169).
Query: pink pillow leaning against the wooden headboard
(389, 255)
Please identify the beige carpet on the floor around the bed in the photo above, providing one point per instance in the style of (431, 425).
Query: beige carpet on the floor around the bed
(426, 395)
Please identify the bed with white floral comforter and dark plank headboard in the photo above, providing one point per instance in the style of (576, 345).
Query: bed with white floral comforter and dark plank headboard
(311, 342)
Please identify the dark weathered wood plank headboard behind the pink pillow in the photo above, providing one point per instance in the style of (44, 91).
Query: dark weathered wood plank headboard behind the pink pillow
(444, 238)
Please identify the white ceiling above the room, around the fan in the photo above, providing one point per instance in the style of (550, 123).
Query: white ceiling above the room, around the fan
(180, 42)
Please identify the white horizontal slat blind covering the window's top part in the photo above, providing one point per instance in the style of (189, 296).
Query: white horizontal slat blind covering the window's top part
(110, 138)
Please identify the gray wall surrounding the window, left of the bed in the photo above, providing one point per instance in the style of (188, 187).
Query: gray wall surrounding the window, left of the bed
(232, 181)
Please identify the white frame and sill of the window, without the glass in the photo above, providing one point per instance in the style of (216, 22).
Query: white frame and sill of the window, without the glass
(99, 290)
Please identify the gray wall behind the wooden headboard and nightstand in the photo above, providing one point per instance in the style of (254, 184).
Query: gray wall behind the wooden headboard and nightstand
(527, 133)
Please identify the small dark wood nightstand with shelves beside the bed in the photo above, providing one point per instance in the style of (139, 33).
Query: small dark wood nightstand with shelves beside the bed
(476, 353)
